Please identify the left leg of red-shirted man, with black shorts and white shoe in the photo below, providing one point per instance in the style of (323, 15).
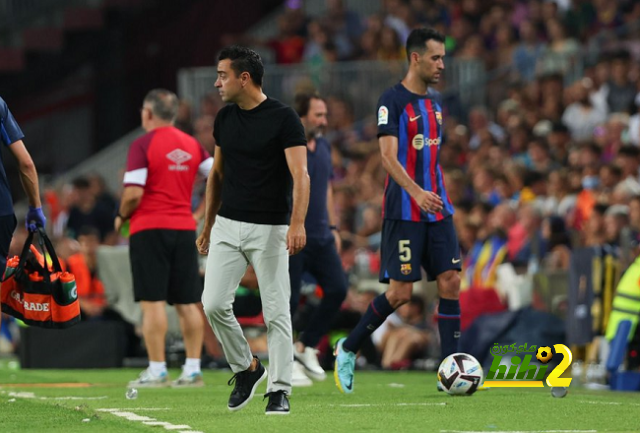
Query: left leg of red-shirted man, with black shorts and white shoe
(150, 264)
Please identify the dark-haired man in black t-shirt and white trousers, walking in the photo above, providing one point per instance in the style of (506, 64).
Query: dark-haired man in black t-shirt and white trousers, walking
(260, 155)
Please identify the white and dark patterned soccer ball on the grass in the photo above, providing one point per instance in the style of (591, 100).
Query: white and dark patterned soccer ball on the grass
(460, 374)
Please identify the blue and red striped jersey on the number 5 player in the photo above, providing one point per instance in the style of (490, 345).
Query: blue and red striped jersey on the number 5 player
(416, 120)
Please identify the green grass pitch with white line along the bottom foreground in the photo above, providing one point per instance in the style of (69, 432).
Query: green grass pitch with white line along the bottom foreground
(382, 402)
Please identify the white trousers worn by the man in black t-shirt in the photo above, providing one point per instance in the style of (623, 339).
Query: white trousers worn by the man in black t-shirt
(235, 245)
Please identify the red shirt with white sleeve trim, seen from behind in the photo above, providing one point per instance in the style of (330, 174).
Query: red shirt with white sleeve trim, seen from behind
(165, 162)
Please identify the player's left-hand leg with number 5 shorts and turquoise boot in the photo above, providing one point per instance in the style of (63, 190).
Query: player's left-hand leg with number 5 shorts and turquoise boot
(401, 251)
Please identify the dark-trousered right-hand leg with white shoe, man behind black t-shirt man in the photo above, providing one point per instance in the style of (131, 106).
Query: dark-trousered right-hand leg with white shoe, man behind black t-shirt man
(326, 267)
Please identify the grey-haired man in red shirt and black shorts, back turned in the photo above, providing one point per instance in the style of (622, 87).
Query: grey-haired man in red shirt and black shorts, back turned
(161, 171)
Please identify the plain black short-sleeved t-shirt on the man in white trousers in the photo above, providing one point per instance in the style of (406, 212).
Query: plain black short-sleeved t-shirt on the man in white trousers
(257, 183)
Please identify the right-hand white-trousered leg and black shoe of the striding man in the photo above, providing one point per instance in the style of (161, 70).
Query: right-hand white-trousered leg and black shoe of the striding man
(265, 247)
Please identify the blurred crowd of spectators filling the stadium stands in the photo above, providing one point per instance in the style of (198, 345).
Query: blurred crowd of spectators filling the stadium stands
(547, 165)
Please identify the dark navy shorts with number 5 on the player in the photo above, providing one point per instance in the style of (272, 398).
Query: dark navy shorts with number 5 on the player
(407, 246)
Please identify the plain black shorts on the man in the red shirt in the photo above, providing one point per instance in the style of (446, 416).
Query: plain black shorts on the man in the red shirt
(164, 264)
